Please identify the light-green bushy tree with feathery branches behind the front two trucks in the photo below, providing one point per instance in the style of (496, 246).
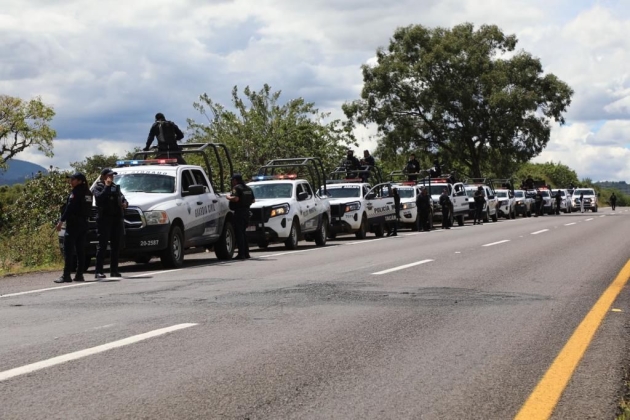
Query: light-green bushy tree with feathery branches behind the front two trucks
(262, 128)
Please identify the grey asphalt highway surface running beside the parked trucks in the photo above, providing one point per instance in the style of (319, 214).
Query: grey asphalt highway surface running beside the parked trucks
(449, 324)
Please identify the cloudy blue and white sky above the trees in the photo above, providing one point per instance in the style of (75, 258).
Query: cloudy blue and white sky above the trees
(108, 67)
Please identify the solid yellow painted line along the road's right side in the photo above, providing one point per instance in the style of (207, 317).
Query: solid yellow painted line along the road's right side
(543, 399)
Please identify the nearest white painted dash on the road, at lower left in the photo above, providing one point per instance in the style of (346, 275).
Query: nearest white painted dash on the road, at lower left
(22, 370)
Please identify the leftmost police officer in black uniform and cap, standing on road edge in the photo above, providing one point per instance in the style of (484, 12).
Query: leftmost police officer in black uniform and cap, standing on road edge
(75, 215)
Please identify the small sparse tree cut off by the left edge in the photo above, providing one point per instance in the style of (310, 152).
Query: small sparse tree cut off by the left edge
(24, 124)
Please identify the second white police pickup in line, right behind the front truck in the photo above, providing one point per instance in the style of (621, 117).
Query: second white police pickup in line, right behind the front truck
(287, 208)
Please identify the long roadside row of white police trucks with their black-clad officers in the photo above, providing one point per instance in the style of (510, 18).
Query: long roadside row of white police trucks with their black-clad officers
(225, 222)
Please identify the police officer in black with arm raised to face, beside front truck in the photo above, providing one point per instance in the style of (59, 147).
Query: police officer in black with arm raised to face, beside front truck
(110, 225)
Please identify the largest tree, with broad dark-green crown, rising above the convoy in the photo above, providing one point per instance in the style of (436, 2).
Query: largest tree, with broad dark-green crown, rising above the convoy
(462, 93)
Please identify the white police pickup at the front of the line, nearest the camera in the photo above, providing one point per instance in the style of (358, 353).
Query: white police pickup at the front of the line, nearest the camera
(172, 207)
